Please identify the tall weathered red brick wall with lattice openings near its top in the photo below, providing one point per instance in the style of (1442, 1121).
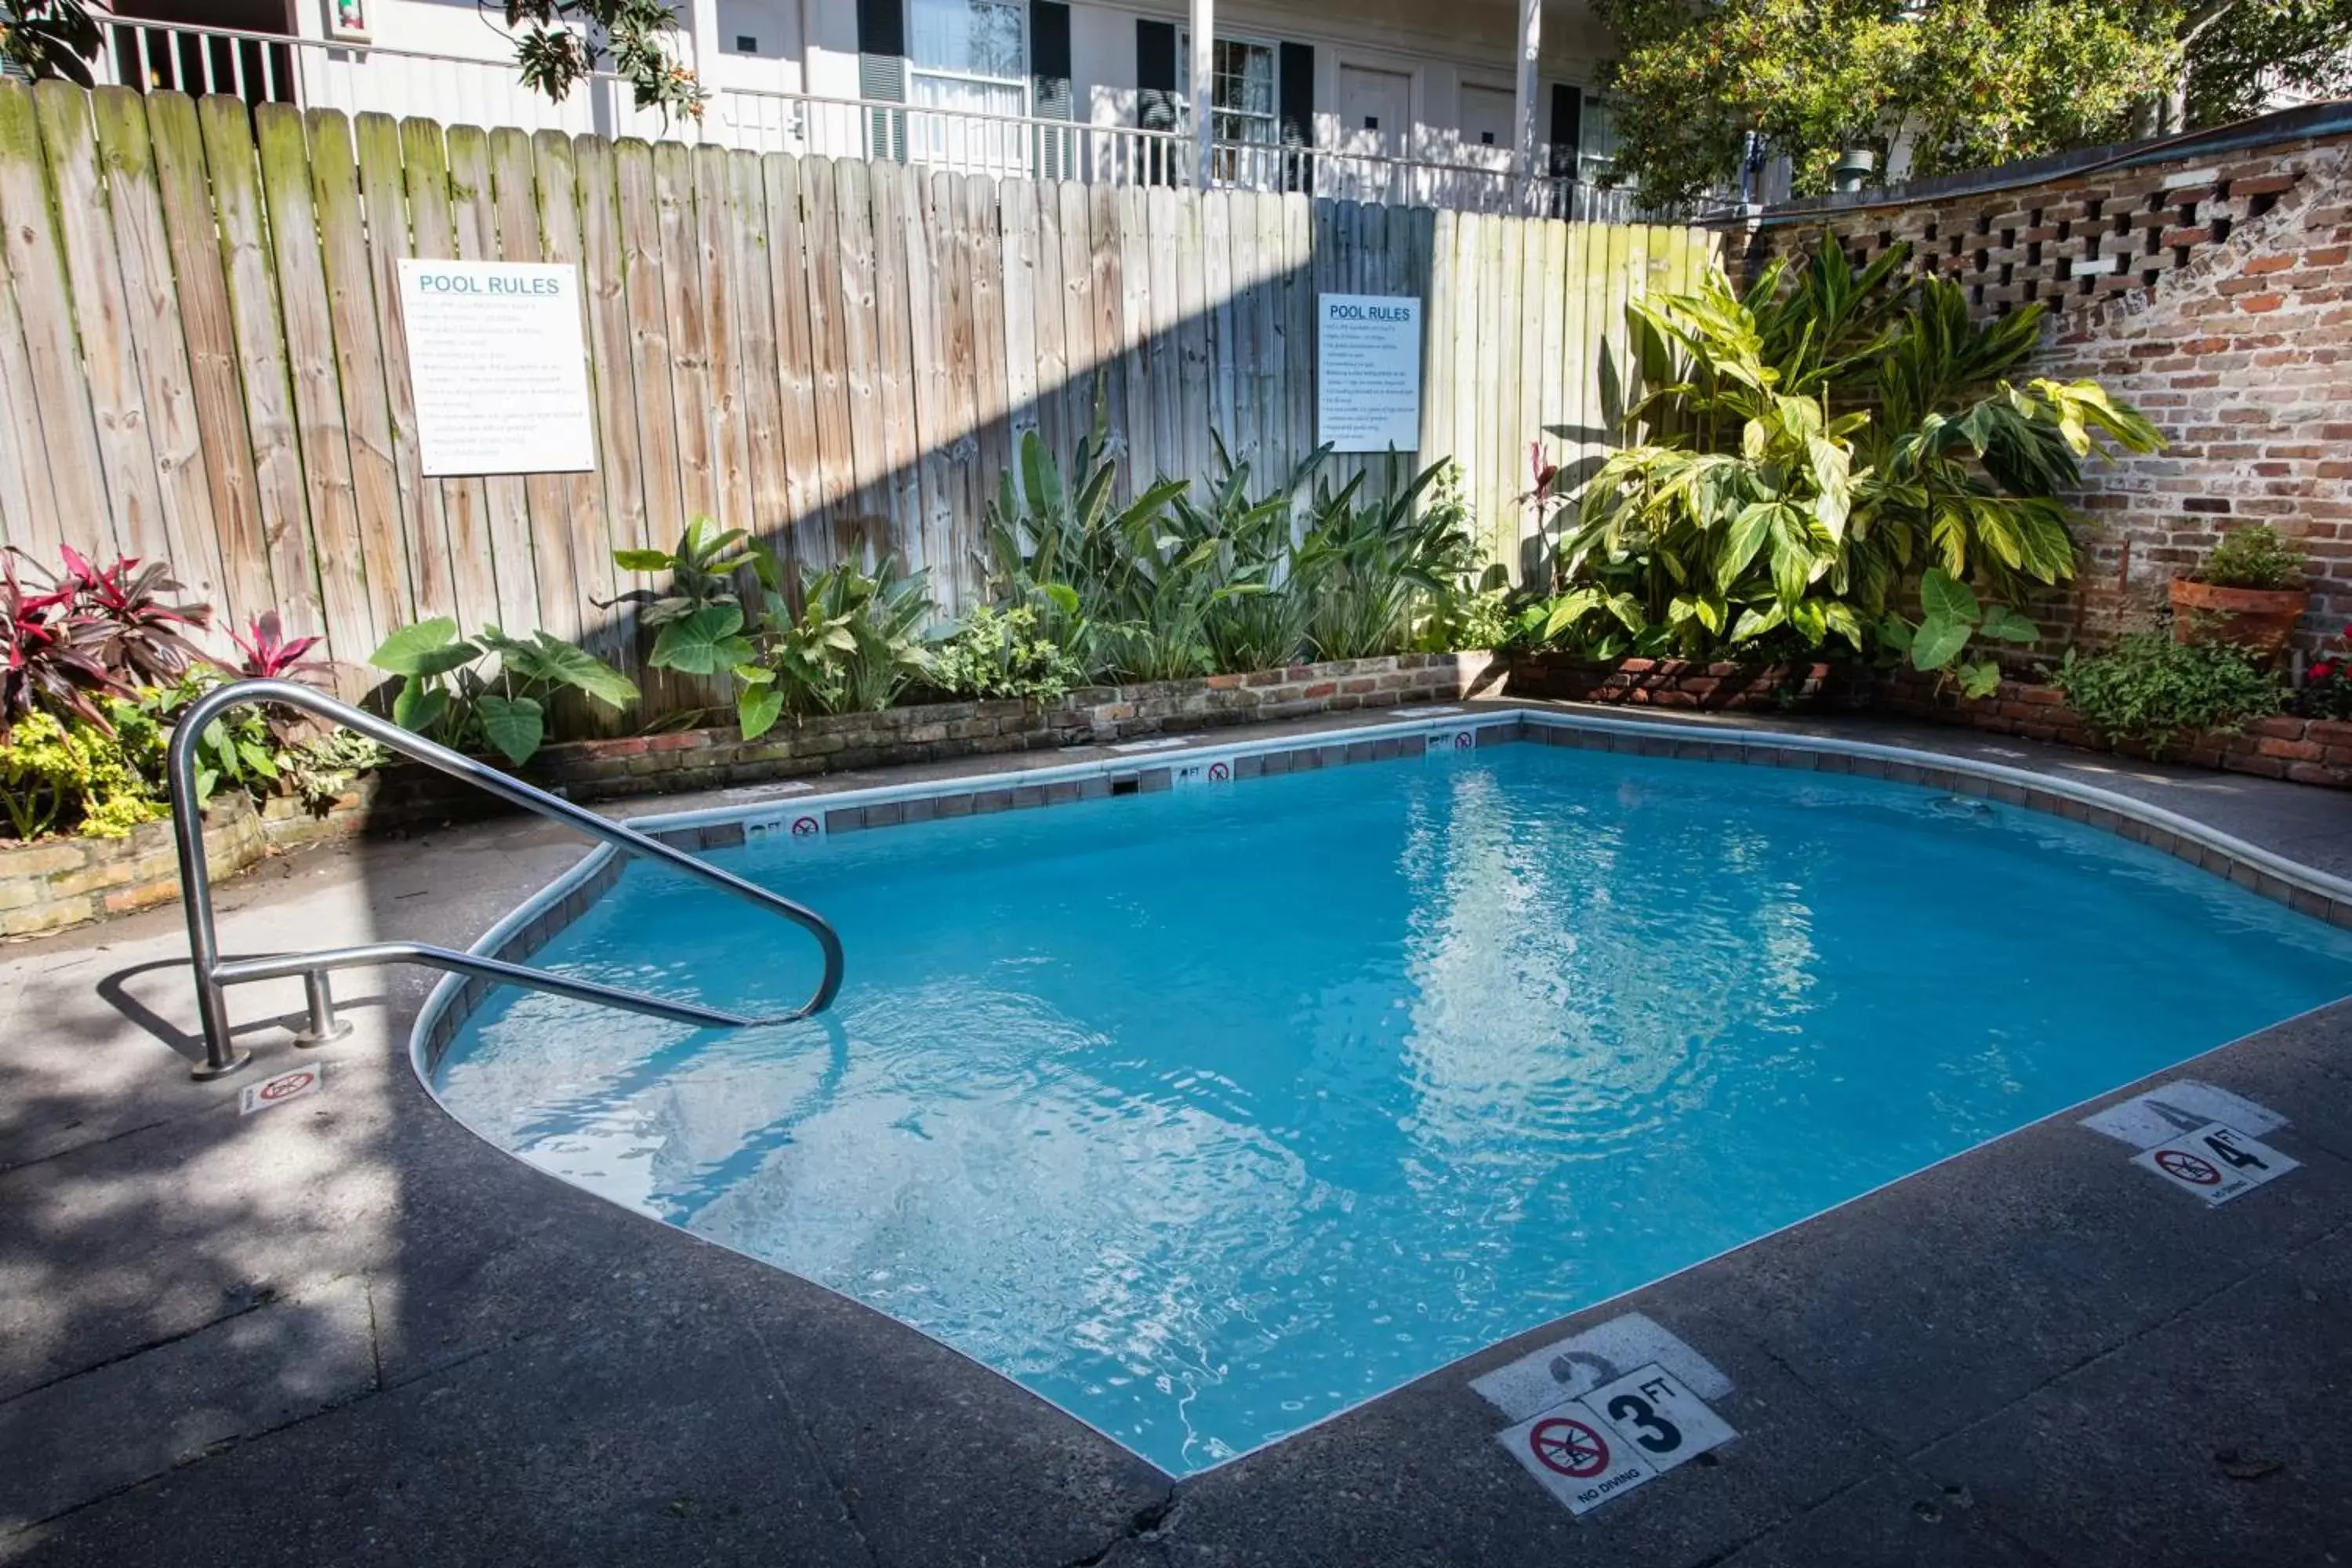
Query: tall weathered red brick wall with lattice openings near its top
(2212, 290)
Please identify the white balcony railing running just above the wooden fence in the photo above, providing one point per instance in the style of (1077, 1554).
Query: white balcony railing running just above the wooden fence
(490, 93)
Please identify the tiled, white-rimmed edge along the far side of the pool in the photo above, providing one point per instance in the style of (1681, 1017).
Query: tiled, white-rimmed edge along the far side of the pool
(982, 793)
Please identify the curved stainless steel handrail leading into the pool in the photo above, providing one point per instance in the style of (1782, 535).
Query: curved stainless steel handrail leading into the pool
(213, 974)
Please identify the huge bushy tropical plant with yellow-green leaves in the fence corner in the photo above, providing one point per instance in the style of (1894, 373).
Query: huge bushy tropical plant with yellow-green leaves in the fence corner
(1808, 450)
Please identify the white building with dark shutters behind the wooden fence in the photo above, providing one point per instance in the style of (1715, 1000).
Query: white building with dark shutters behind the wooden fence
(1481, 105)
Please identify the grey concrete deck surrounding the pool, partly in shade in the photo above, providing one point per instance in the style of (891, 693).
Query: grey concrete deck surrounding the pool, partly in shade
(347, 1332)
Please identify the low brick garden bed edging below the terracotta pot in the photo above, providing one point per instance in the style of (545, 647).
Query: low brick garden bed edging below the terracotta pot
(2301, 751)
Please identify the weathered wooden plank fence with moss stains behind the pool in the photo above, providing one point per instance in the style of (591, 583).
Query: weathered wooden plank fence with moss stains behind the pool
(203, 359)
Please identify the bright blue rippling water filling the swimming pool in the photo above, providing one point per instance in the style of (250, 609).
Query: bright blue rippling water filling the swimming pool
(1208, 1115)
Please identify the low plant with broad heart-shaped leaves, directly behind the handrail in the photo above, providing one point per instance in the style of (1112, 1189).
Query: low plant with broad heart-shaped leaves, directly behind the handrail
(490, 688)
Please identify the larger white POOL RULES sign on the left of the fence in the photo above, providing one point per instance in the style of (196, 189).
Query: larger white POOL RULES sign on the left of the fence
(497, 366)
